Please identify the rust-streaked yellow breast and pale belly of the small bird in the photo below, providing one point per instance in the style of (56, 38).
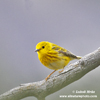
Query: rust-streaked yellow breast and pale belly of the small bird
(54, 61)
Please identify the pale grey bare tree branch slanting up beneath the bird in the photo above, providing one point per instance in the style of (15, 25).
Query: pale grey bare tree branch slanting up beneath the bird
(44, 88)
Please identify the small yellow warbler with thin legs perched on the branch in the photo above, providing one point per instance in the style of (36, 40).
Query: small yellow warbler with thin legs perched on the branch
(53, 56)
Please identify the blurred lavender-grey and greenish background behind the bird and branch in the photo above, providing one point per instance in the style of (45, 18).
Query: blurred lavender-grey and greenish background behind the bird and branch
(72, 24)
